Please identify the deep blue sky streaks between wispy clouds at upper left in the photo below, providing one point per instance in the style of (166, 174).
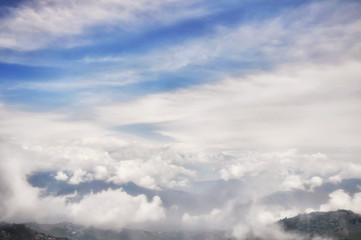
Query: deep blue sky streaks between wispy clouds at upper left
(103, 48)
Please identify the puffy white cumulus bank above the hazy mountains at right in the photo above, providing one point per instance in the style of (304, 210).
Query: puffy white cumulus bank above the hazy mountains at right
(280, 171)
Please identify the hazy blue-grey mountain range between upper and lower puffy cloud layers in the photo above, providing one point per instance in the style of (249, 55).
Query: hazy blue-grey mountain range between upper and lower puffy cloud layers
(201, 197)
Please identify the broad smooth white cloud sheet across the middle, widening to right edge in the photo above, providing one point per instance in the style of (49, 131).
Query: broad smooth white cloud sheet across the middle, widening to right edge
(295, 106)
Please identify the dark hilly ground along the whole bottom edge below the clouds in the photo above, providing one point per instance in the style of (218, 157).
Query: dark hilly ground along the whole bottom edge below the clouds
(340, 225)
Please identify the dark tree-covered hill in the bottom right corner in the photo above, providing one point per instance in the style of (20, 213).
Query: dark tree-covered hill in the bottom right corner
(341, 224)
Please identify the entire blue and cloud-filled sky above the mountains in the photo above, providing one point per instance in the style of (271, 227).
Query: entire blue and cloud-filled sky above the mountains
(167, 93)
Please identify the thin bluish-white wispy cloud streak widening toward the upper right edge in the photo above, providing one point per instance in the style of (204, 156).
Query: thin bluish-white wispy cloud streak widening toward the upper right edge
(281, 39)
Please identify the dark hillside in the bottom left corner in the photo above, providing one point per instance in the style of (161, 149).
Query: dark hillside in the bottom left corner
(21, 232)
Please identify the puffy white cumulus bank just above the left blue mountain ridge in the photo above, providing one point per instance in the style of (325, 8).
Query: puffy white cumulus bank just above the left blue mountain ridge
(147, 166)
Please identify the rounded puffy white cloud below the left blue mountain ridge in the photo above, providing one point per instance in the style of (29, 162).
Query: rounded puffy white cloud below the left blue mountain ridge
(113, 209)
